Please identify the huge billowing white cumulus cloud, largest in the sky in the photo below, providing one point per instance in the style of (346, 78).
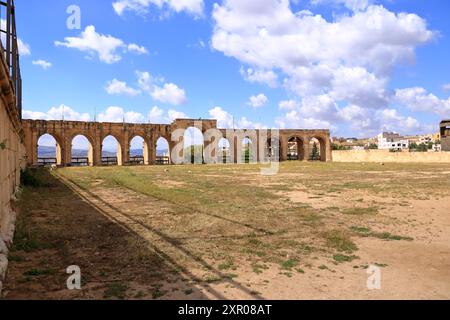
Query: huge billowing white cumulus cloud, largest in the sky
(328, 65)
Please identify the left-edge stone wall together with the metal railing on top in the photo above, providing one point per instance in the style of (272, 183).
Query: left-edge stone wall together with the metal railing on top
(12, 149)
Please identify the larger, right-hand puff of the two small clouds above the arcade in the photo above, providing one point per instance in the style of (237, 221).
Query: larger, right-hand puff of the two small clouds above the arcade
(166, 93)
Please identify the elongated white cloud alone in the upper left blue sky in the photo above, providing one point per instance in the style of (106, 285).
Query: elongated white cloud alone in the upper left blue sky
(106, 47)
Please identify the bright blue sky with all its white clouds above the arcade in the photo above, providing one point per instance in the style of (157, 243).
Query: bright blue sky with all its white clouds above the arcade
(354, 66)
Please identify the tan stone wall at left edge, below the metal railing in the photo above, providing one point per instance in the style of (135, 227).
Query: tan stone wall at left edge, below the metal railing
(12, 159)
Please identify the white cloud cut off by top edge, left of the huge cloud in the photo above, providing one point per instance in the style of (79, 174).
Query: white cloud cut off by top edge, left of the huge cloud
(193, 7)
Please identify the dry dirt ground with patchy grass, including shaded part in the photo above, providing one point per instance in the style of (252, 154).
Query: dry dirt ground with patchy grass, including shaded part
(313, 231)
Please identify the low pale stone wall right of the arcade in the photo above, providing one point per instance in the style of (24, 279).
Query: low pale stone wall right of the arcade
(386, 156)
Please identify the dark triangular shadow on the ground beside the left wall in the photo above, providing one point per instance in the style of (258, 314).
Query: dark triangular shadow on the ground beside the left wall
(58, 228)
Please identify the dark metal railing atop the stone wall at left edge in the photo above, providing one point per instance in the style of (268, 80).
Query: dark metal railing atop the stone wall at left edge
(10, 49)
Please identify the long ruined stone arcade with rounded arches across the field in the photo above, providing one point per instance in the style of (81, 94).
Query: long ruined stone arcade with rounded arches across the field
(65, 131)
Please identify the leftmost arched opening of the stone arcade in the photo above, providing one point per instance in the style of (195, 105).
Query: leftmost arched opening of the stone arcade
(53, 157)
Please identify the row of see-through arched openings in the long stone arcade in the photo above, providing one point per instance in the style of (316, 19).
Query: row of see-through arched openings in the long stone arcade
(82, 154)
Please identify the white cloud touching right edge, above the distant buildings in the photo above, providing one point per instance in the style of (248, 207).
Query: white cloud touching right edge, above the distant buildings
(418, 99)
